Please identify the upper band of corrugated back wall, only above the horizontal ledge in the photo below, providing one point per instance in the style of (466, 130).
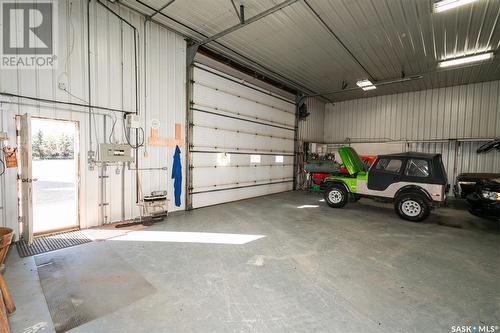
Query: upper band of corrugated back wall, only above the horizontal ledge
(464, 112)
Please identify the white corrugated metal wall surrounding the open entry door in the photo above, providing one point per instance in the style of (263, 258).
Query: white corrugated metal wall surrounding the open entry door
(113, 85)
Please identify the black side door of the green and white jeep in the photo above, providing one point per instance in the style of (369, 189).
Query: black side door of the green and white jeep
(386, 171)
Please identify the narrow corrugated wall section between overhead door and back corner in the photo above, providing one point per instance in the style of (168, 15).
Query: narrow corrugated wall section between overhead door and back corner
(311, 129)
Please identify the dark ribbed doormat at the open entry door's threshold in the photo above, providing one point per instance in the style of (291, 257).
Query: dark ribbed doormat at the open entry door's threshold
(51, 243)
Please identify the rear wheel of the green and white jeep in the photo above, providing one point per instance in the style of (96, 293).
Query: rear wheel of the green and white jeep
(412, 207)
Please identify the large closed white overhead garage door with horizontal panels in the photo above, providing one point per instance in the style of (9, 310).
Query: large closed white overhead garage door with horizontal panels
(242, 139)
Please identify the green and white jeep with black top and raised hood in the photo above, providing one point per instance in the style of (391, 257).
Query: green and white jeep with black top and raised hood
(415, 182)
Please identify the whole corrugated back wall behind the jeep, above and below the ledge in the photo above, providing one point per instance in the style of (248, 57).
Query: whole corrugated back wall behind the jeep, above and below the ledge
(452, 121)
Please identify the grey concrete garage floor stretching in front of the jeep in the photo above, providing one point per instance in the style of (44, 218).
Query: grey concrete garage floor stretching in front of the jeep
(358, 269)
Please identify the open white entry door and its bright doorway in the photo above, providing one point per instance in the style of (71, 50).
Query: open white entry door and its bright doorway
(48, 178)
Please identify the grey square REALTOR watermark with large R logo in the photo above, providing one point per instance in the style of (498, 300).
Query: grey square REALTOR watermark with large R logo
(29, 34)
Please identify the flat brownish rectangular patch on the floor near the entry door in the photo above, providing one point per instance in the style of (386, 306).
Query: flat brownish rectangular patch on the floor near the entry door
(84, 283)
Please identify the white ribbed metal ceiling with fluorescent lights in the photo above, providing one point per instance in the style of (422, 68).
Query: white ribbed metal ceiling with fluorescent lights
(386, 37)
